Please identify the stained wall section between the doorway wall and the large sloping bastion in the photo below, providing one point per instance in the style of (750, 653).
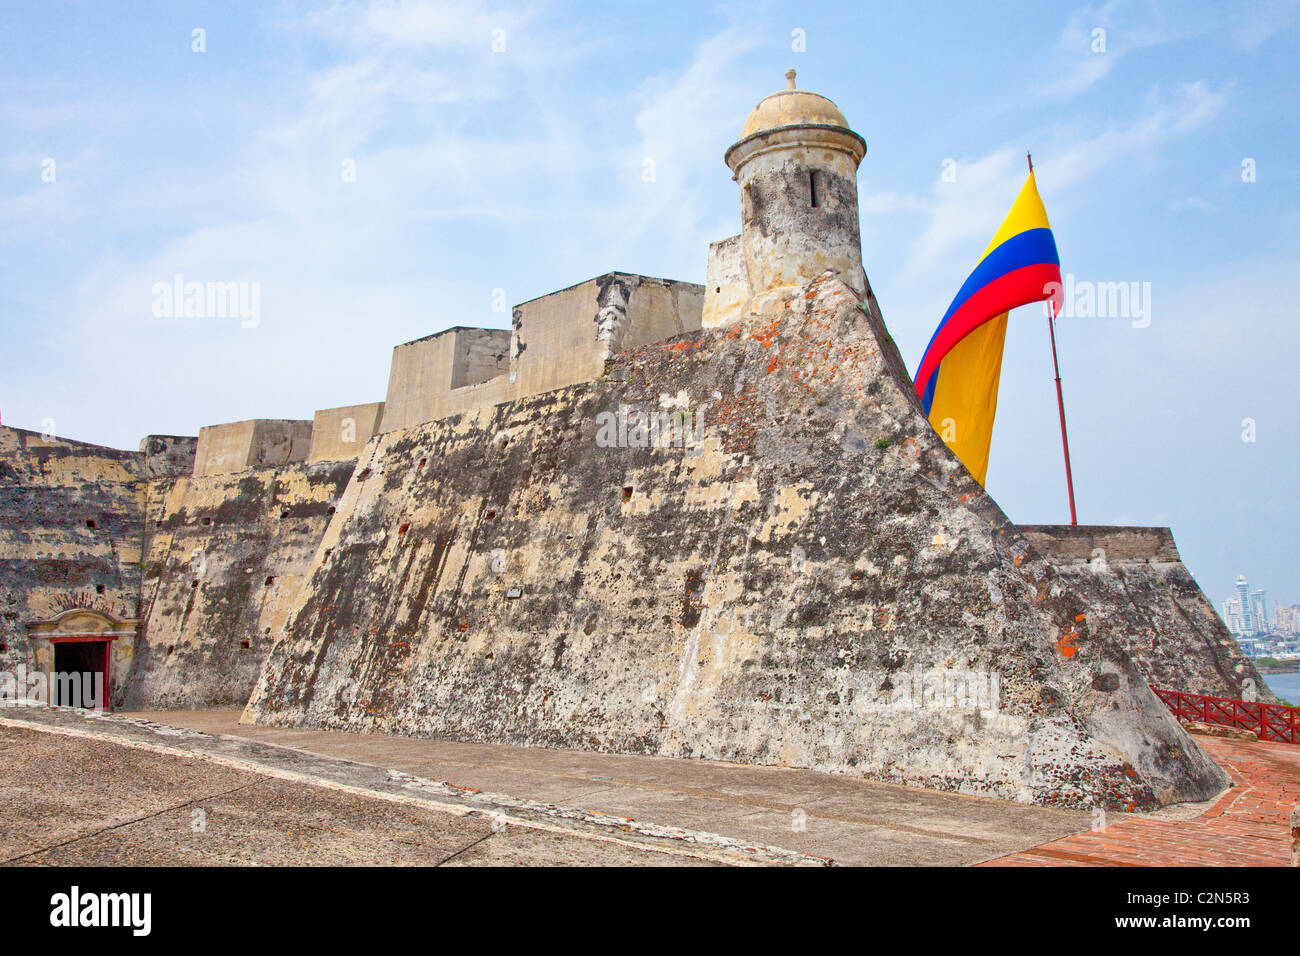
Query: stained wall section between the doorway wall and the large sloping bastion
(224, 560)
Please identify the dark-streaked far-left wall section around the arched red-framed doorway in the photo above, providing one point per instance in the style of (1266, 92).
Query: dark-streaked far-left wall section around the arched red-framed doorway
(71, 534)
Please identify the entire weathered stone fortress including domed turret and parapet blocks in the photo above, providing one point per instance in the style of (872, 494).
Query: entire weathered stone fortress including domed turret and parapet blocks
(466, 557)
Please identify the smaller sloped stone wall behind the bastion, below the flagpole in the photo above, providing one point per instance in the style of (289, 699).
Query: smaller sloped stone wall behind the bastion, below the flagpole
(1137, 581)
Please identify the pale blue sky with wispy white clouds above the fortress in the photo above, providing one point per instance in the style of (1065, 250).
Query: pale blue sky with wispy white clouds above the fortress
(521, 170)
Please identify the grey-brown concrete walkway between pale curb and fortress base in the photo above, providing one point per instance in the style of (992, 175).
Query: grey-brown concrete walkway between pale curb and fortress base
(716, 811)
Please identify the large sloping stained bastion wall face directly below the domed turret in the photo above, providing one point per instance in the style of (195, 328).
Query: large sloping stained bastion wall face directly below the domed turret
(778, 592)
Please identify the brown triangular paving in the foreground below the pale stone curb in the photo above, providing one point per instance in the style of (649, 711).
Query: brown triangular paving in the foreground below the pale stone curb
(88, 799)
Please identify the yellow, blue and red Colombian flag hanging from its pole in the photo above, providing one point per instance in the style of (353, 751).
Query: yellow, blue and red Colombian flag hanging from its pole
(959, 375)
